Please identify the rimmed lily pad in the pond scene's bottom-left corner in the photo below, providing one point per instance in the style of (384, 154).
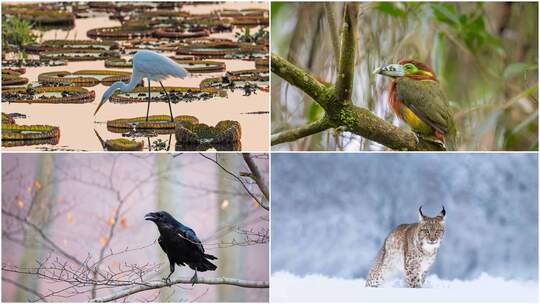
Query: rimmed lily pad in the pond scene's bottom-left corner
(14, 132)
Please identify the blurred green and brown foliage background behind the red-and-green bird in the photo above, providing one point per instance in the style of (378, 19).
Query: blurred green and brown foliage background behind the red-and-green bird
(485, 55)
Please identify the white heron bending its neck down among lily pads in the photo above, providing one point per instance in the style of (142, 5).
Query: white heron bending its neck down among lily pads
(152, 66)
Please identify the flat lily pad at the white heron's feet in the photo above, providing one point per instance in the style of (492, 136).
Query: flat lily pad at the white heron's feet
(159, 123)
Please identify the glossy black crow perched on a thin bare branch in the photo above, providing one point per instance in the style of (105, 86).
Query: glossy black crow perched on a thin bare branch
(181, 244)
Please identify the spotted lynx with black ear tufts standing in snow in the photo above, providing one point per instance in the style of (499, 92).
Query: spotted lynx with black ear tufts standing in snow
(410, 249)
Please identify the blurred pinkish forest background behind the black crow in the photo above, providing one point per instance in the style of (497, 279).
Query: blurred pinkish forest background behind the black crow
(66, 215)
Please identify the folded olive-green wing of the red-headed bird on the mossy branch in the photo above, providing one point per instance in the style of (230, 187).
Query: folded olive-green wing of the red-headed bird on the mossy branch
(427, 101)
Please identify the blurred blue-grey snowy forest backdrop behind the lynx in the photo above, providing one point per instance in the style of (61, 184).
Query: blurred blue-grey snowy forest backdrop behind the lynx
(333, 224)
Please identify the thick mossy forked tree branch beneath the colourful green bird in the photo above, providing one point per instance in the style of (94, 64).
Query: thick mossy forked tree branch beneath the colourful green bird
(337, 103)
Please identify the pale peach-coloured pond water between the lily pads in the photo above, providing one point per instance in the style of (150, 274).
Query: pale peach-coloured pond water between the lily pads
(78, 125)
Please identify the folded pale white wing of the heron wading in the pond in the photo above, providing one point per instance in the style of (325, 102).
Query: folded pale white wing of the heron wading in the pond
(156, 66)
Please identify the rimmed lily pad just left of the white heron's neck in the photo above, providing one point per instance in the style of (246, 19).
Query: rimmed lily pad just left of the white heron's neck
(86, 78)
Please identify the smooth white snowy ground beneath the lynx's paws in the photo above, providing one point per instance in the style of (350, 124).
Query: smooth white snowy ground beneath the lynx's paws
(287, 287)
